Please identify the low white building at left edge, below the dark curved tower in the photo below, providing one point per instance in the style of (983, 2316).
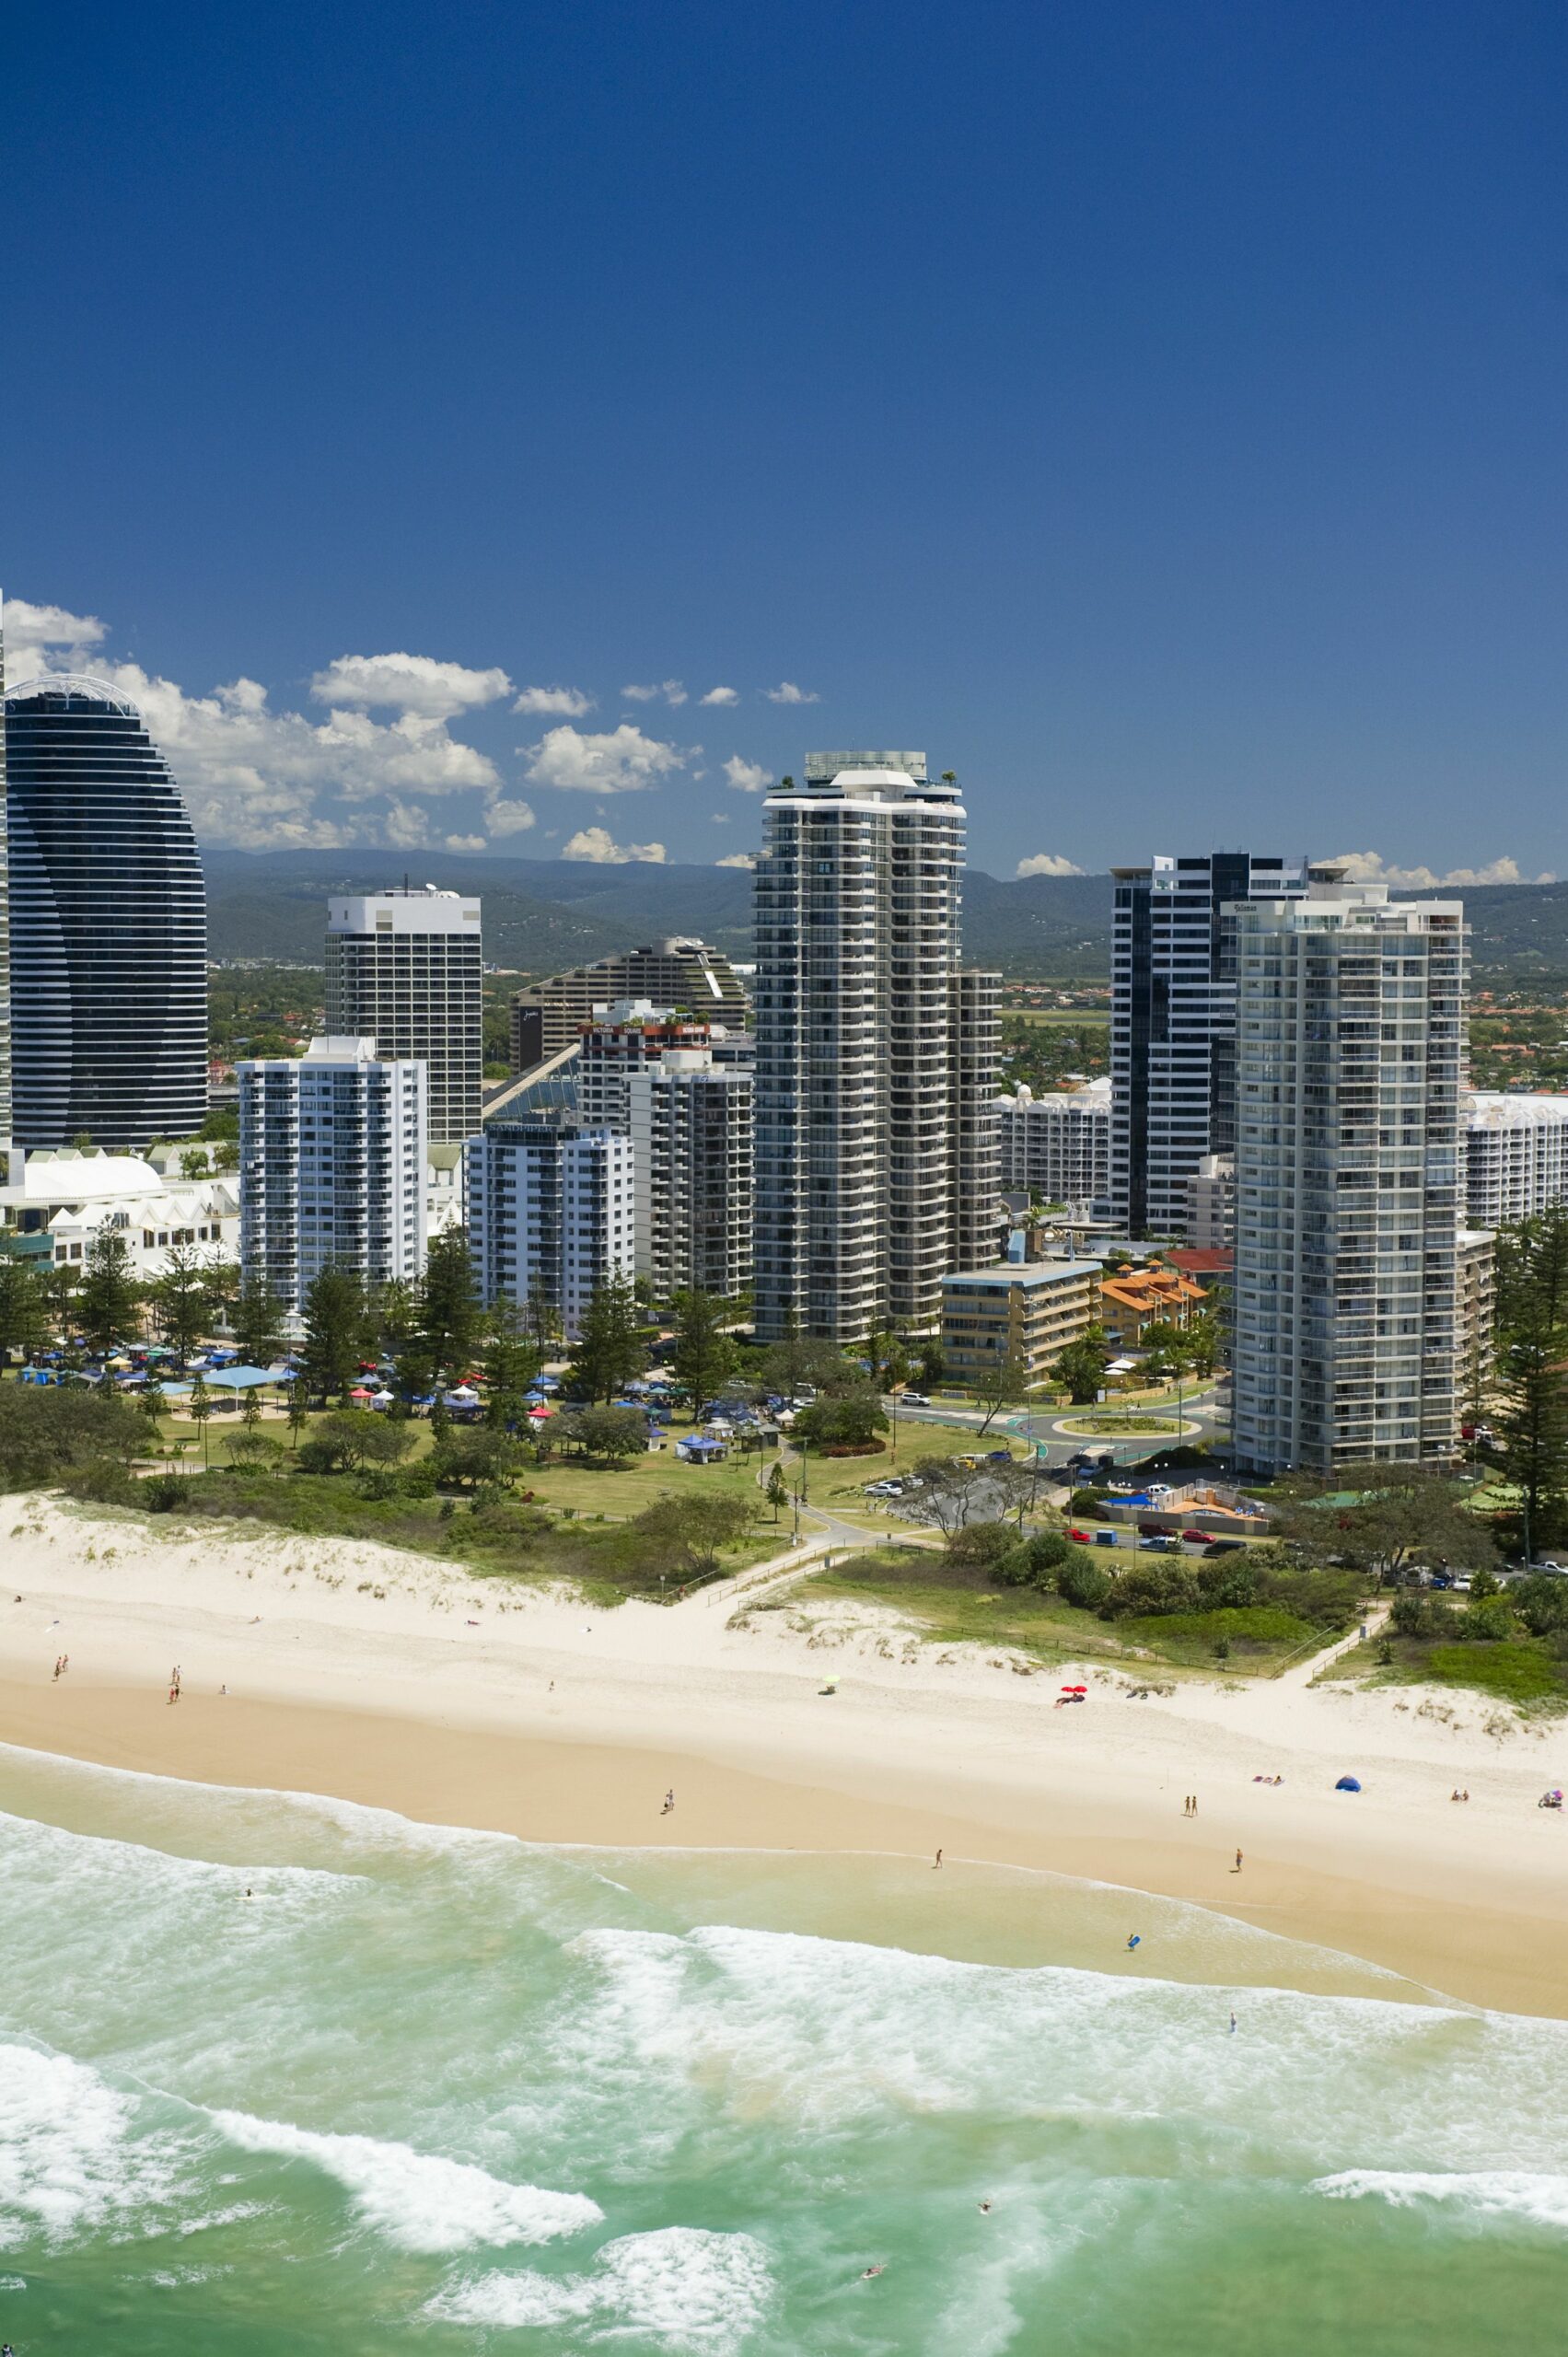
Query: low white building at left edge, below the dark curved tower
(70, 1196)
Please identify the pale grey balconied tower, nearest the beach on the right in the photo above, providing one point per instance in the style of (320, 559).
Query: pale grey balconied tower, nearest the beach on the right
(1348, 1177)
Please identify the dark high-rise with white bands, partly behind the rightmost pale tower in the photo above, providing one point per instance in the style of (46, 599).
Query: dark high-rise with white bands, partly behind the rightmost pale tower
(1173, 1024)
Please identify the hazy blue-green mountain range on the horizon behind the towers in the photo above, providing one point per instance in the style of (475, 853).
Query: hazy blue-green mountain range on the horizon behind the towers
(543, 916)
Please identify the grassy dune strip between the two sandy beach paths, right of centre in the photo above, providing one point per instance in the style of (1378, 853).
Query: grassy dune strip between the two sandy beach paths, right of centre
(966, 1606)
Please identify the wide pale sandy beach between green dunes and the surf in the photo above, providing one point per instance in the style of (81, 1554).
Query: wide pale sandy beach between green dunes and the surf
(407, 1684)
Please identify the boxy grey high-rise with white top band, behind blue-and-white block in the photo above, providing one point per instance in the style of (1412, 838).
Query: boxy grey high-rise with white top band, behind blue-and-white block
(407, 970)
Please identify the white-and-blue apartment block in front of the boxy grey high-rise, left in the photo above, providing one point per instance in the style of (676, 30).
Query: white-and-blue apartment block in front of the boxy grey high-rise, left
(334, 1166)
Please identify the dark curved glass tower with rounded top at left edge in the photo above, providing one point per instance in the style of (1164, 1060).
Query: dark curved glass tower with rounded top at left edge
(110, 925)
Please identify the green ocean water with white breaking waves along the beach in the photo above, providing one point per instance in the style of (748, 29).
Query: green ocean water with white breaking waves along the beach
(442, 2092)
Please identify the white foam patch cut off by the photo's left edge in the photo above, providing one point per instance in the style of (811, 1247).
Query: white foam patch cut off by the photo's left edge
(70, 2153)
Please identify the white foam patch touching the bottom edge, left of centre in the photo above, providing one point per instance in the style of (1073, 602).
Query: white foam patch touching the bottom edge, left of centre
(680, 2287)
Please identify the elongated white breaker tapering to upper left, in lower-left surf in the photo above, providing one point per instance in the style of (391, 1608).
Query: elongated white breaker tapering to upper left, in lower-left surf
(419, 2200)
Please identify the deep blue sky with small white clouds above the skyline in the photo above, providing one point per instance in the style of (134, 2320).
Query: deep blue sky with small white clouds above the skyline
(1152, 411)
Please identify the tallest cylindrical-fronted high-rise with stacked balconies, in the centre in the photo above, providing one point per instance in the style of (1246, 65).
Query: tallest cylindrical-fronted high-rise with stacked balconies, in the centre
(876, 1052)
